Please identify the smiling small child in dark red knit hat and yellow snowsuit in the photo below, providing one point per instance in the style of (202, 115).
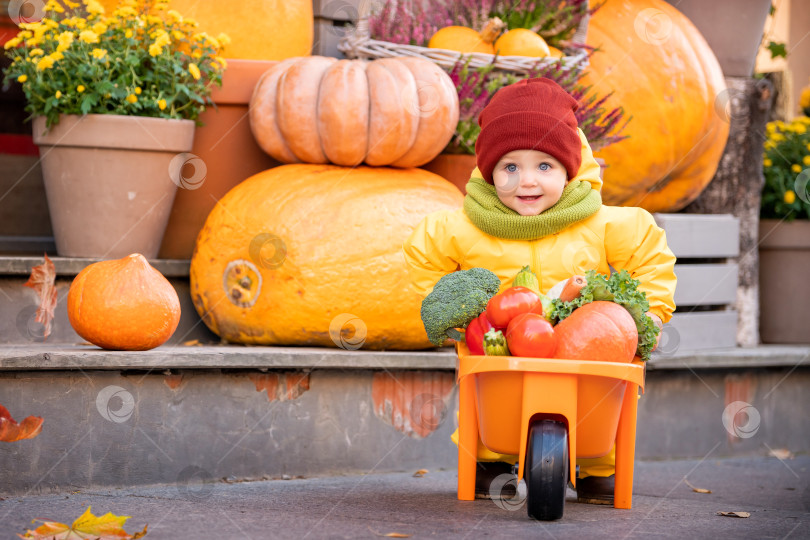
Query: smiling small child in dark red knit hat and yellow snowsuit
(535, 199)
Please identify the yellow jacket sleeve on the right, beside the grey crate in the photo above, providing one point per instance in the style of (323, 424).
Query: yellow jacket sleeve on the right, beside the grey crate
(640, 246)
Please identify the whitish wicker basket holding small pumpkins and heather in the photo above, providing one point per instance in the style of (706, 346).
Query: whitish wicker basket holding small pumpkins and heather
(357, 44)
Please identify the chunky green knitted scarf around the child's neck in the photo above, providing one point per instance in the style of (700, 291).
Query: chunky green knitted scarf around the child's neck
(489, 214)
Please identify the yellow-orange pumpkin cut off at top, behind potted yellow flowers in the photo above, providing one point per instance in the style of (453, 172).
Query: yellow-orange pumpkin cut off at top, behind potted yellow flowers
(259, 29)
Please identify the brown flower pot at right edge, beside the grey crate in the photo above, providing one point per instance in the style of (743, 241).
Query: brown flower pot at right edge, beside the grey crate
(784, 292)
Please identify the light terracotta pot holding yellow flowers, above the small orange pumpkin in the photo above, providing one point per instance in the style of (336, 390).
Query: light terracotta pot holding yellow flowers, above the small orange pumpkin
(108, 183)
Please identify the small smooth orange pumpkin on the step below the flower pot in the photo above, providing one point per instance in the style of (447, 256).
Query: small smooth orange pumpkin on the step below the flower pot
(124, 304)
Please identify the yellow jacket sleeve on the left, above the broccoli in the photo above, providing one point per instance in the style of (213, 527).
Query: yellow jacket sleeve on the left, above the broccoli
(430, 252)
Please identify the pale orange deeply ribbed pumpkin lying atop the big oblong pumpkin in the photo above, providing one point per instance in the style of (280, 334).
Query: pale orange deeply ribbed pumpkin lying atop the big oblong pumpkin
(393, 111)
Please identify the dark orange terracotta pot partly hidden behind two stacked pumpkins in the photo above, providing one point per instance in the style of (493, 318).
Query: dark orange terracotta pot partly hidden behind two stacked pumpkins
(224, 154)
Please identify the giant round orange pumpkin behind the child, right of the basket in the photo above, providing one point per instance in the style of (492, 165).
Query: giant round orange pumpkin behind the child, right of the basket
(665, 75)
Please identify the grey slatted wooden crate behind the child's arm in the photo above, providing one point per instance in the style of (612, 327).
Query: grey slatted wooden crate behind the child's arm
(706, 247)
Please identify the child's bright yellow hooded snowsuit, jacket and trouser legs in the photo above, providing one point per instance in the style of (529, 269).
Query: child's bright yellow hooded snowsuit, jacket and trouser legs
(614, 237)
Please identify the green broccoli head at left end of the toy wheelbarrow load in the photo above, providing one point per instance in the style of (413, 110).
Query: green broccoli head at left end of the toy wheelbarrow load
(457, 299)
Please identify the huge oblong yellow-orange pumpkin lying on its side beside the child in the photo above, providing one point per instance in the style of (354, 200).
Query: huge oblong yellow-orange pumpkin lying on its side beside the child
(312, 255)
